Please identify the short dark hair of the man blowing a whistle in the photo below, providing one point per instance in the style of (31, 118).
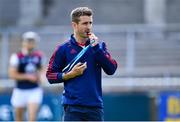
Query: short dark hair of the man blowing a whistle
(80, 11)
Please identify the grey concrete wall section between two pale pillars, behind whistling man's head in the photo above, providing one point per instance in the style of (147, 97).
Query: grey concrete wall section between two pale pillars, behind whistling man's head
(105, 11)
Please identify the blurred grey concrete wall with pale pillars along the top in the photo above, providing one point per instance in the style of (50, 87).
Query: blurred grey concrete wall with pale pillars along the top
(30, 12)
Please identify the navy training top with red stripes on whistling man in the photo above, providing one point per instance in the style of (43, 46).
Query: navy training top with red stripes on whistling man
(86, 89)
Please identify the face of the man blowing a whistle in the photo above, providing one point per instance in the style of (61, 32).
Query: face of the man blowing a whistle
(84, 26)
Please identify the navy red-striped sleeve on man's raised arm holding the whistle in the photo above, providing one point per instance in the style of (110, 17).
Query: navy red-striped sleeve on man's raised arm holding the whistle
(104, 59)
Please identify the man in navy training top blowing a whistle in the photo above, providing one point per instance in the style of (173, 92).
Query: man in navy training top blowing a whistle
(82, 96)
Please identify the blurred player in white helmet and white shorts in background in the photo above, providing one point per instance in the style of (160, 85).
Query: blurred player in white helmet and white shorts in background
(26, 68)
